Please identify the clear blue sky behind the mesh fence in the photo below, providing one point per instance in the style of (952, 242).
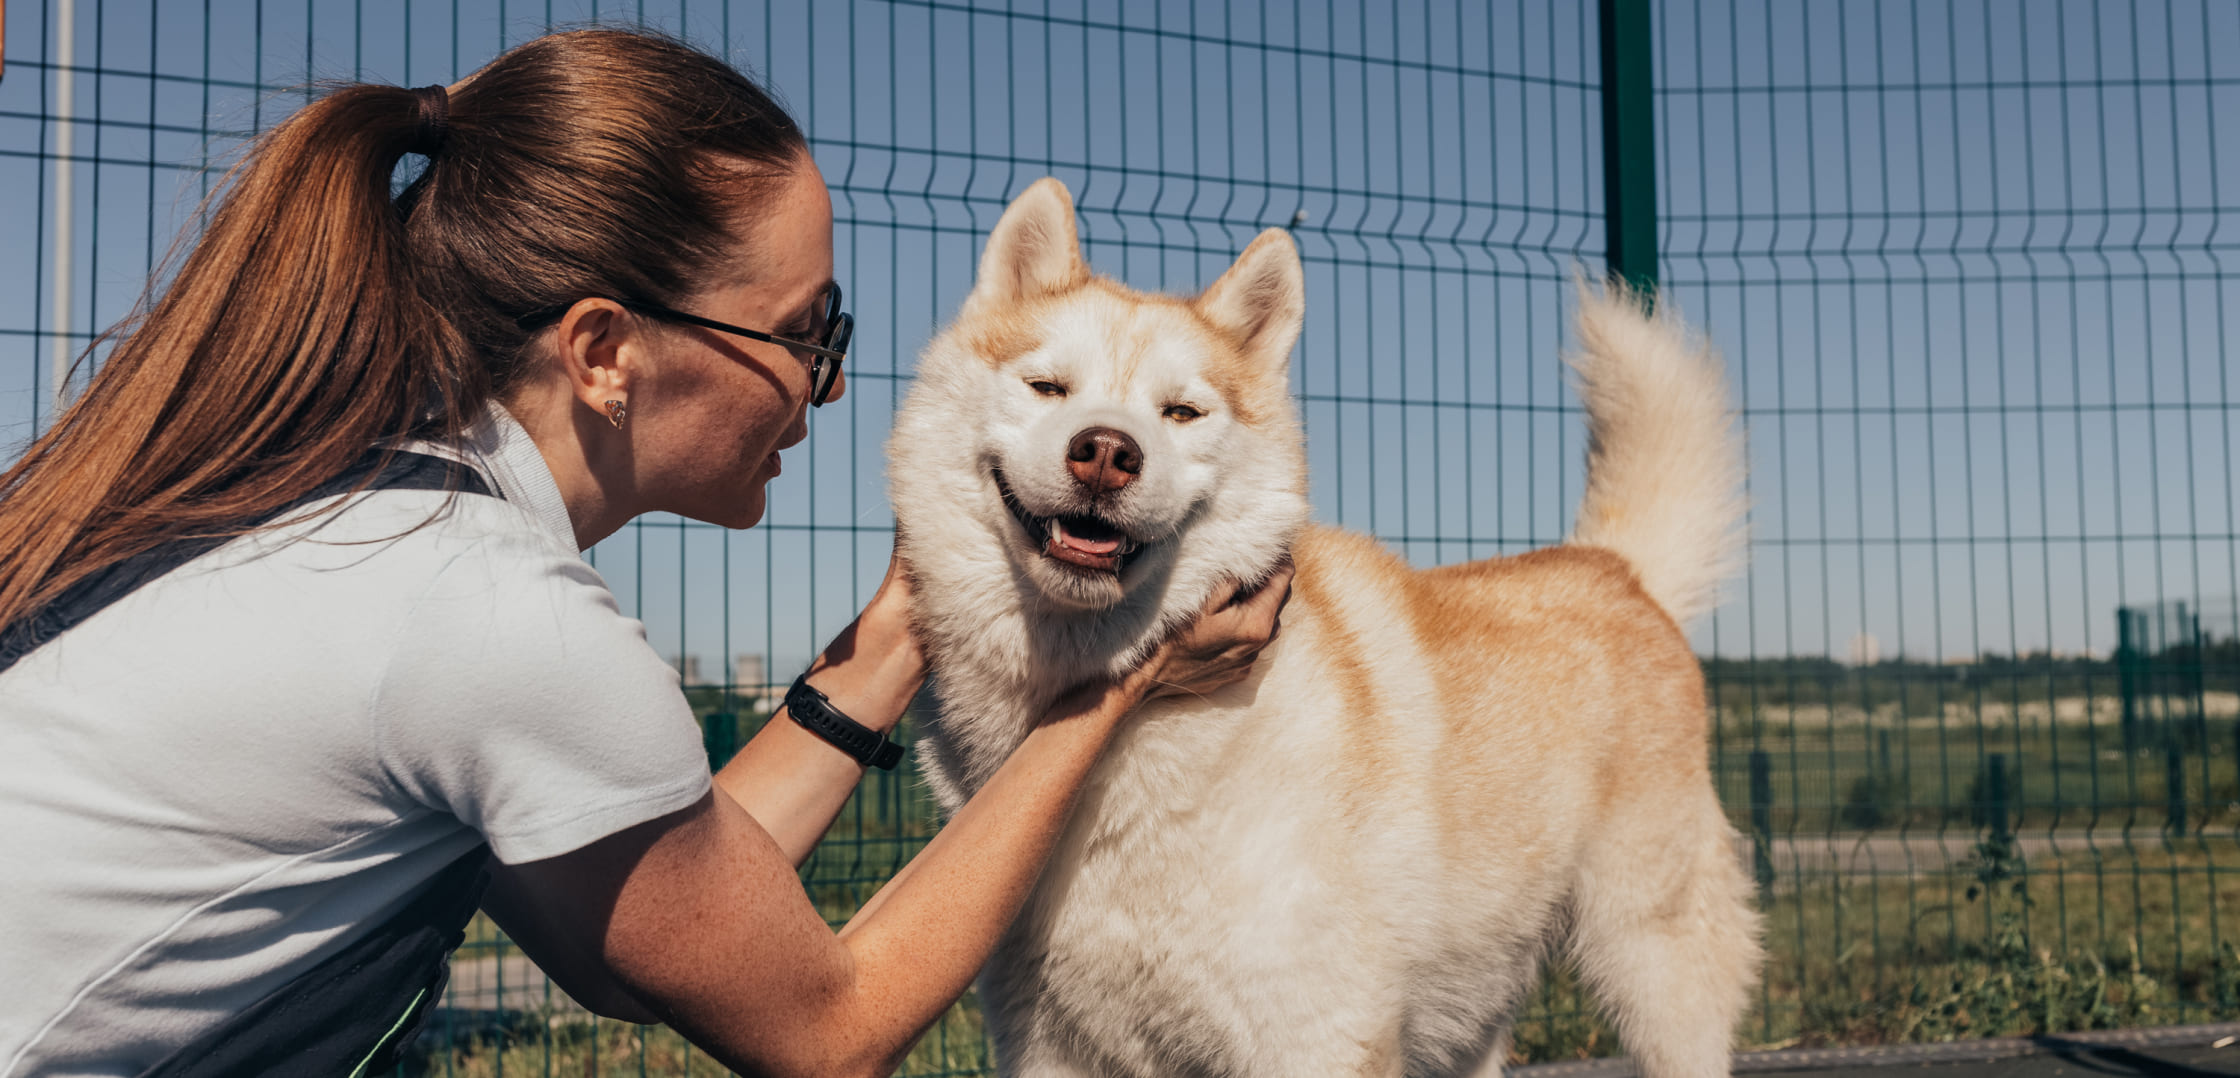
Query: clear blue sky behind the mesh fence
(1966, 261)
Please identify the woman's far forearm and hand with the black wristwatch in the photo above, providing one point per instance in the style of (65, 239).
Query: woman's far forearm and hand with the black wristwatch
(792, 781)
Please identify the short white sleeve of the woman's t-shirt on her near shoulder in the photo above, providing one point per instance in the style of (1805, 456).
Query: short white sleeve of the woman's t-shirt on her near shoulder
(523, 703)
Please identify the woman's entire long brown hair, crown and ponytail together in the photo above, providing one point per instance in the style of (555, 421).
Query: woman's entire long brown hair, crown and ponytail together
(317, 317)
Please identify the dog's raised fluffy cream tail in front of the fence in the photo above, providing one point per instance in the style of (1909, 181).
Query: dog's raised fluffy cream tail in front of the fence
(1663, 452)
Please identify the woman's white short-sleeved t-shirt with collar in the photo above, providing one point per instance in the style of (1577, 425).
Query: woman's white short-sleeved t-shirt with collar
(225, 777)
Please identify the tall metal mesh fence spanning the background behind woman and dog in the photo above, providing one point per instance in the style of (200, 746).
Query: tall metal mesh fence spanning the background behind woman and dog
(1966, 261)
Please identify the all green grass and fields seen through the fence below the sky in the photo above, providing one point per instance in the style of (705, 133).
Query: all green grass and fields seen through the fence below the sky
(2136, 929)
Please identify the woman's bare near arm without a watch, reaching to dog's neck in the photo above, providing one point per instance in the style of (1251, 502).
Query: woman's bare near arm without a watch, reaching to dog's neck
(702, 920)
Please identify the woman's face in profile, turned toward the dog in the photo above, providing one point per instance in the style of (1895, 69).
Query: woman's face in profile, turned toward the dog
(716, 409)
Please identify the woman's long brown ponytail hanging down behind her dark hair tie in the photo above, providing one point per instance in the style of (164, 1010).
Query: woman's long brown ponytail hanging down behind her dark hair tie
(290, 342)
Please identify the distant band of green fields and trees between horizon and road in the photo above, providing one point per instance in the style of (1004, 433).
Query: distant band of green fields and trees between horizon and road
(2131, 745)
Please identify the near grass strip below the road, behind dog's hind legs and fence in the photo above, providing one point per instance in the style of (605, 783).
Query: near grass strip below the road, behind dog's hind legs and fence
(1990, 947)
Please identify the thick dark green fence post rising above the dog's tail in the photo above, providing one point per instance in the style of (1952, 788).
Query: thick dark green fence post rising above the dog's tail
(1630, 151)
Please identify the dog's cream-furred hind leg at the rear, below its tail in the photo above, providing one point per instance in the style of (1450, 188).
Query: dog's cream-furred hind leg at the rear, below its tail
(1668, 938)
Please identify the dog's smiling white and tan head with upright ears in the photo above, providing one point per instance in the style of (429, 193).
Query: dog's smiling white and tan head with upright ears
(1105, 440)
